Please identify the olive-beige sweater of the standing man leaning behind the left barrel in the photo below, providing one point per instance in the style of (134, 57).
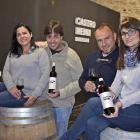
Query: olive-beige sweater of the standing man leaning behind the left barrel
(69, 69)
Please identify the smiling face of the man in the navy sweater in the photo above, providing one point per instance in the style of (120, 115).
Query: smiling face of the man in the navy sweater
(105, 39)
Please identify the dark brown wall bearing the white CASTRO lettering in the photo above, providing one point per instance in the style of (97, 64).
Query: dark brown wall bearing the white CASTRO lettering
(78, 17)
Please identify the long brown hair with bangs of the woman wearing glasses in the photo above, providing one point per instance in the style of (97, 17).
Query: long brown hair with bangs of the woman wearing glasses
(127, 23)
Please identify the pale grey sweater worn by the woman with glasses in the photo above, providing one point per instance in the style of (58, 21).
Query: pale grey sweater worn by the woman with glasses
(127, 84)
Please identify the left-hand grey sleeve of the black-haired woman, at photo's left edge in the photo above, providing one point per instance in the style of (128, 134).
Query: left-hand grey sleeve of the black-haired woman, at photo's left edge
(7, 79)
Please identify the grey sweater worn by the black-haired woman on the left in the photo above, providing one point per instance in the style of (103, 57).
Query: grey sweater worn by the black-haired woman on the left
(33, 67)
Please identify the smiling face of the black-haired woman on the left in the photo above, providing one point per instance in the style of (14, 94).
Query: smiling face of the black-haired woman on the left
(23, 37)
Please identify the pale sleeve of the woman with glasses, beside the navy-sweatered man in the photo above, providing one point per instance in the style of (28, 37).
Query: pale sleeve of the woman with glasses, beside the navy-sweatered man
(117, 85)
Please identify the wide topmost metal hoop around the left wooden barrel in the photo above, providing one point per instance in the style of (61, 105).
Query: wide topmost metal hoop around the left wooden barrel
(25, 112)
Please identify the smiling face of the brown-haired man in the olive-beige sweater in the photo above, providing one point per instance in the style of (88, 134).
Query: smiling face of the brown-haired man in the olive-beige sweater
(54, 41)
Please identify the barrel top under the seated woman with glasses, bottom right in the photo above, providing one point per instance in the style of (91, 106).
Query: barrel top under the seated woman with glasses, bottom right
(118, 134)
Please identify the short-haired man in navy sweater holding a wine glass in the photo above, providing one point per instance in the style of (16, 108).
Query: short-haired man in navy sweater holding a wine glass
(104, 59)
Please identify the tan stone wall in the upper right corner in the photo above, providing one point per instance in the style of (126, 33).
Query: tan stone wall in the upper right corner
(125, 7)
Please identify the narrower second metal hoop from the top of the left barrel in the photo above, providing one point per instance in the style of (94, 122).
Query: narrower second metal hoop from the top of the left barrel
(28, 121)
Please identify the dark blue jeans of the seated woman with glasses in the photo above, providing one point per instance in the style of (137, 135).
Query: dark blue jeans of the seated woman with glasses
(93, 122)
